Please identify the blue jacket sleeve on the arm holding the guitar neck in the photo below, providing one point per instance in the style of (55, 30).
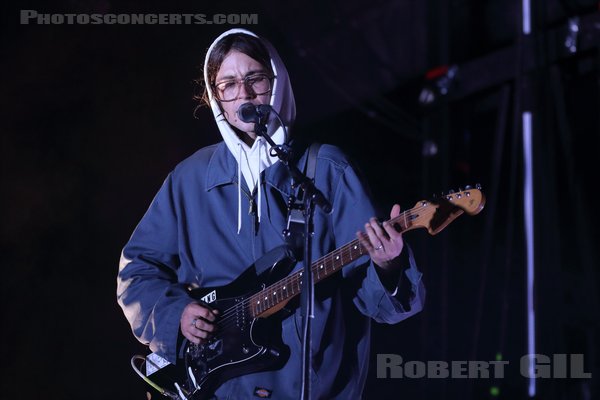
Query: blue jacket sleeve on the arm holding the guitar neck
(352, 209)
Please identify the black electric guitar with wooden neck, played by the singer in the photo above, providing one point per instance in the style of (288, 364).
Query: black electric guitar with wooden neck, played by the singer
(244, 341)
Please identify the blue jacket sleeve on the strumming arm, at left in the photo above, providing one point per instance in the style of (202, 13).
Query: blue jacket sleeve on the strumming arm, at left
(147, 287)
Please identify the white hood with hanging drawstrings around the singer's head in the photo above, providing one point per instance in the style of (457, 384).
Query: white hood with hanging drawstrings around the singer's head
(253, 160)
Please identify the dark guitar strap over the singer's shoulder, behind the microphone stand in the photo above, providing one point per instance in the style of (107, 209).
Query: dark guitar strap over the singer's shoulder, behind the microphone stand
(294, 232)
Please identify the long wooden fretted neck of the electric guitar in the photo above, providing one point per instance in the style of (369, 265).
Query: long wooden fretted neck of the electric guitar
(289, 287)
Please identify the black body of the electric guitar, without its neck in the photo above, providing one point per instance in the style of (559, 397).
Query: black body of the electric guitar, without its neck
(242, 344)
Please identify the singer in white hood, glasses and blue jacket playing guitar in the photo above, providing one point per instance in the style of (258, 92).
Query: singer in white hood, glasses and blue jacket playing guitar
(224, 207)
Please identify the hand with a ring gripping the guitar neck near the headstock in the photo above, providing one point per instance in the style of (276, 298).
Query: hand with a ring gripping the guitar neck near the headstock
(382, 241)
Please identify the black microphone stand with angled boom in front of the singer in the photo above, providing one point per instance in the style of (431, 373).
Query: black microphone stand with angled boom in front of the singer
(311, 196)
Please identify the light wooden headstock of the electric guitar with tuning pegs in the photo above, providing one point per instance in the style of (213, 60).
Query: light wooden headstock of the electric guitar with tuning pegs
(435, 214)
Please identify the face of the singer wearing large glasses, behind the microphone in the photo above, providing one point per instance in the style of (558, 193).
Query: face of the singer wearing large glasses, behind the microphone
(236, 66)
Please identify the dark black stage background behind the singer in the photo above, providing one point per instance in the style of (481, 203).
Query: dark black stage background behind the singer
(94, 117)
